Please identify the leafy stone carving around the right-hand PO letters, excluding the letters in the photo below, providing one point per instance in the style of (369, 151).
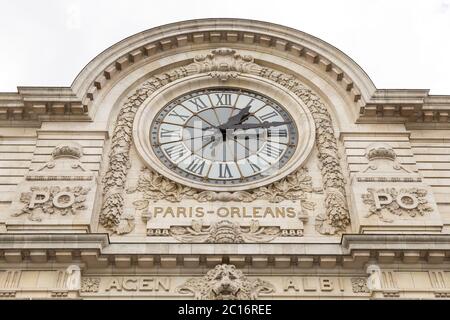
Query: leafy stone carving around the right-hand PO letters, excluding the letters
(422, 207)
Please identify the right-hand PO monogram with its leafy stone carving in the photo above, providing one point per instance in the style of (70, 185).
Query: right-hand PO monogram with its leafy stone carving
(400, 202)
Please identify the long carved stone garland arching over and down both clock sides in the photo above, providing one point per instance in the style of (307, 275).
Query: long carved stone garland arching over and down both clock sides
(225, 63)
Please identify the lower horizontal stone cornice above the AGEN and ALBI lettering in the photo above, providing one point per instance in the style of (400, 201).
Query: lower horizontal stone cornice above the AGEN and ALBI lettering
(354, 251)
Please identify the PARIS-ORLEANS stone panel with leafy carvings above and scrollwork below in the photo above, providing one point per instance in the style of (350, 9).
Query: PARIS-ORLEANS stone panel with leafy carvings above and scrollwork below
(191, 215)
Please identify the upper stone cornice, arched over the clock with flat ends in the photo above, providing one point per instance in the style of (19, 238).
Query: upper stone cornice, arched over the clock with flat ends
(37, 104)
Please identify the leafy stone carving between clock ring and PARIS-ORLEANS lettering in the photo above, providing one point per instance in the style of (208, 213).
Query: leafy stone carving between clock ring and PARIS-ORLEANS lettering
(154, 186)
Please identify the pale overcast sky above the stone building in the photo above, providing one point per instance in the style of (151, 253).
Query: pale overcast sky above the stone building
(400, 44)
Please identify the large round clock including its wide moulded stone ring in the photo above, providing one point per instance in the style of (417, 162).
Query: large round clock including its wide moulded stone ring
(223, 136)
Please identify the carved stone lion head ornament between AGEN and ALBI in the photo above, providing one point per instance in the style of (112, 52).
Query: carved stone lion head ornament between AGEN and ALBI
(225, 282)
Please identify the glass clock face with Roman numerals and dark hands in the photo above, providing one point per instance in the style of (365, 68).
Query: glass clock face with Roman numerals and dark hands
(224, 136)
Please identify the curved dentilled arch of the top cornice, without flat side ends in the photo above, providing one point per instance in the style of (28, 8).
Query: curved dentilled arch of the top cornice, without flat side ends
(188, 36)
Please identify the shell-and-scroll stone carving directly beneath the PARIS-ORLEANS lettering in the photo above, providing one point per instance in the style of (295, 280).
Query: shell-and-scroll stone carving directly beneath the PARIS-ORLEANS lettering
(224, 231)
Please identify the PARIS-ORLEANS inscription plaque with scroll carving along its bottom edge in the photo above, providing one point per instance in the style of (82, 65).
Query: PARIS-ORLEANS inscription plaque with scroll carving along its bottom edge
(233, 223)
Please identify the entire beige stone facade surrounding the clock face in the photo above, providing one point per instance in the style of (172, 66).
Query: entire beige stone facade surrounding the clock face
(361, 211)
